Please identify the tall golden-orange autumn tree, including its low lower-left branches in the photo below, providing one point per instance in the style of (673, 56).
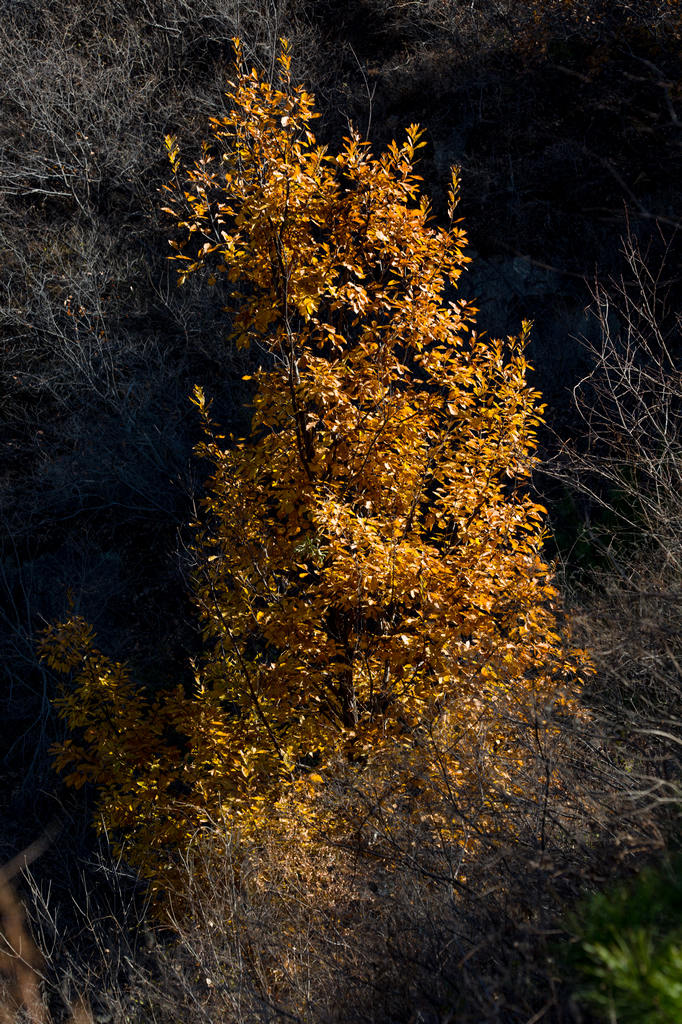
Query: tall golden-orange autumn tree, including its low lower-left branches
(369, 563)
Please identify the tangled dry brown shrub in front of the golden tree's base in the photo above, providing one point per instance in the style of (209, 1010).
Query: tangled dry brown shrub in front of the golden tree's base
(425, 908)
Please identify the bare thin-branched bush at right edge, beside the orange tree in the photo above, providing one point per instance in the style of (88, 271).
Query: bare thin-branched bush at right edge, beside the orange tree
(631, 407)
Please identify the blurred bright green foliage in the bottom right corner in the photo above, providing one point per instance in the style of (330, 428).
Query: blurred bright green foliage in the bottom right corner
(628, 953)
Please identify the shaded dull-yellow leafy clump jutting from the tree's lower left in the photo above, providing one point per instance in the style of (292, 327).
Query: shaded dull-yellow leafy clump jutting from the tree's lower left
(152, 759)
